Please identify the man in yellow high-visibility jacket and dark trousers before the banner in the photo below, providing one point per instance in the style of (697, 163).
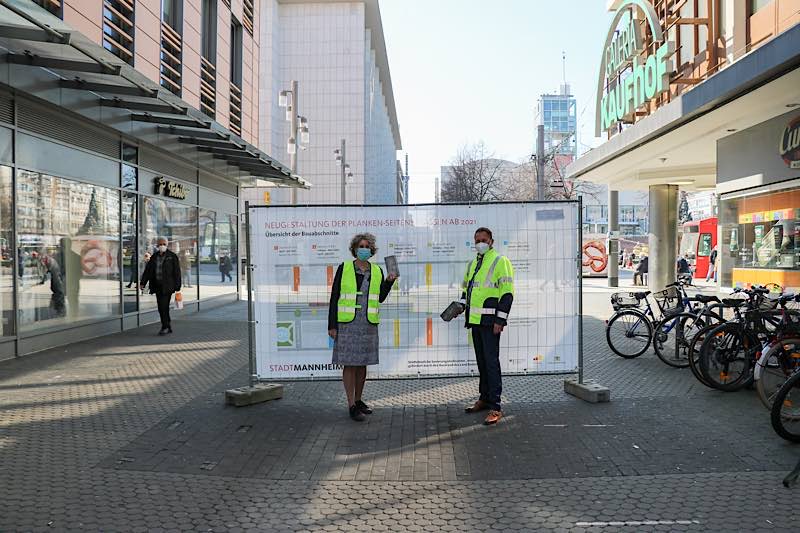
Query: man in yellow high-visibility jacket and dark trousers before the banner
(487, 297)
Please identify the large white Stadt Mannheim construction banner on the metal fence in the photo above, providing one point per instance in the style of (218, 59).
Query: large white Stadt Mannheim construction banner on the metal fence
(296, 251)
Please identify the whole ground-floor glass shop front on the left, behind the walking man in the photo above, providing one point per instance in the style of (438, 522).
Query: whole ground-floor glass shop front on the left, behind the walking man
(79, 249)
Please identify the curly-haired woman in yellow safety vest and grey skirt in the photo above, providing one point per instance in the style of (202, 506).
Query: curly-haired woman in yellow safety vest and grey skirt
(358, 290)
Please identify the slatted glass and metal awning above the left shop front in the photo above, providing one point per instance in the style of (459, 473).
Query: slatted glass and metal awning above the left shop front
(75, 73)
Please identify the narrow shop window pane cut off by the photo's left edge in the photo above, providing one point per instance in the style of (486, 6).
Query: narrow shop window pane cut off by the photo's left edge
(7, 254)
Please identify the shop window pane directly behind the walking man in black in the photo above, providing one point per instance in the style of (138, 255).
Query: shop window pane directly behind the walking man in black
(178, 223)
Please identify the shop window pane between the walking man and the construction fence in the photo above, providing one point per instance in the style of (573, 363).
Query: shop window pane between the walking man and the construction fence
(218, 255)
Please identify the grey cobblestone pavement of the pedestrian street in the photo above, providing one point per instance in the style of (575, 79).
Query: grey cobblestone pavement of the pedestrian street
(129, 433)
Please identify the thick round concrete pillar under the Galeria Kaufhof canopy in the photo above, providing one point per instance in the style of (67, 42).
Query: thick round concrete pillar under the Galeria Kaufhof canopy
(663, 236)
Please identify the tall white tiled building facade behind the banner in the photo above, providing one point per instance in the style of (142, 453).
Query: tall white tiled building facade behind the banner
(336, 52)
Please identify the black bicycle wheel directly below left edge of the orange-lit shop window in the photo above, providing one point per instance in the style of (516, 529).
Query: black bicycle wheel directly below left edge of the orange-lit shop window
(726, 357)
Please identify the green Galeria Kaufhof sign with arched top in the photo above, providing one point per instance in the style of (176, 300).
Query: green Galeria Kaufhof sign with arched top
(646, 77)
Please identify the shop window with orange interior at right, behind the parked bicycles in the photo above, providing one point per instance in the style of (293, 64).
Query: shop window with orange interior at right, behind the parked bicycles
(761, 239)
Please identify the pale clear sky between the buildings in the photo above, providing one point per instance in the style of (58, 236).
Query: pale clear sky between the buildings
(465, 71)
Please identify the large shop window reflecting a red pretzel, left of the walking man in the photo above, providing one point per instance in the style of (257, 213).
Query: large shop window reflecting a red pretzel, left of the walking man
(68, 251)
